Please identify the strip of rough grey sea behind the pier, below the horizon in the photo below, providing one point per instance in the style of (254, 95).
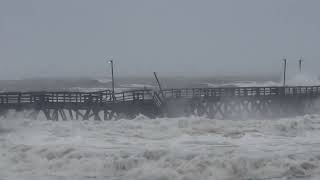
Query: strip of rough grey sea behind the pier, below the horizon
(126, 83)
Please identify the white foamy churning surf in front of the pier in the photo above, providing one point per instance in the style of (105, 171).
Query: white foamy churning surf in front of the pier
(161, 149)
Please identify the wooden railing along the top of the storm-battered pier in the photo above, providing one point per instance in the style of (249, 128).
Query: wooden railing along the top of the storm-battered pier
(107, 97)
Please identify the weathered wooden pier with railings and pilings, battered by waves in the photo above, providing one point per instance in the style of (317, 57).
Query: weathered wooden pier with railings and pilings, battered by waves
(220, 103)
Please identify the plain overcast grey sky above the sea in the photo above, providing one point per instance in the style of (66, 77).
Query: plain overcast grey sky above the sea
(173, 37)
